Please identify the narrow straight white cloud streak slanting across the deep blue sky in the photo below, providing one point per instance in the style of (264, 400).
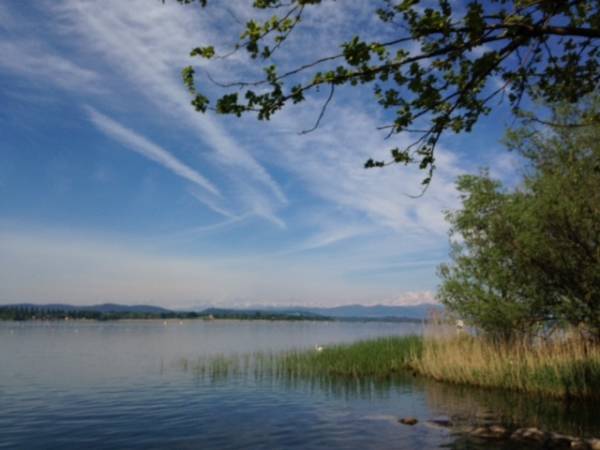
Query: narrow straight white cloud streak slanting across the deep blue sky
(150, 150)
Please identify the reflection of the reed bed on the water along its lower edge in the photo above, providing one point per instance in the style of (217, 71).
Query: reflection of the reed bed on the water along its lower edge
(455, 409)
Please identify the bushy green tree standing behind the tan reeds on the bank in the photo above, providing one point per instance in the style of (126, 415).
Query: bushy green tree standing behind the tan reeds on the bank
(529, 259)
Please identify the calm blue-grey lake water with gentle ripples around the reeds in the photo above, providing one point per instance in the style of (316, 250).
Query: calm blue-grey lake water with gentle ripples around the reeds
(130, 384)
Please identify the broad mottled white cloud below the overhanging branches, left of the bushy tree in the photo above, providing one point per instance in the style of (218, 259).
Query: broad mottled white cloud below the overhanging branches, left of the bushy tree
(330, 160)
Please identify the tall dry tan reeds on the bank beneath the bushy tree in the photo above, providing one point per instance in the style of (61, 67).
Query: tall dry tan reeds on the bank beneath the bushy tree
(564, 368)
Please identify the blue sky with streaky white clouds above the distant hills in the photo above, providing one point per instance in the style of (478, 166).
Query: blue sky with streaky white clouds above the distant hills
(113, 189)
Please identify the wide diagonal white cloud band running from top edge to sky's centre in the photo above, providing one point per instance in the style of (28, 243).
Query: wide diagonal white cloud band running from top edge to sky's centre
(148, 44)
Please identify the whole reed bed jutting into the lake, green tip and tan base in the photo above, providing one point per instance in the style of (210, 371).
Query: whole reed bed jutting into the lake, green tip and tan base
(565, 369)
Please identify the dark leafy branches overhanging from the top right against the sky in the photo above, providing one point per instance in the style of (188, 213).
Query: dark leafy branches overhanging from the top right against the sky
(437, 73)
